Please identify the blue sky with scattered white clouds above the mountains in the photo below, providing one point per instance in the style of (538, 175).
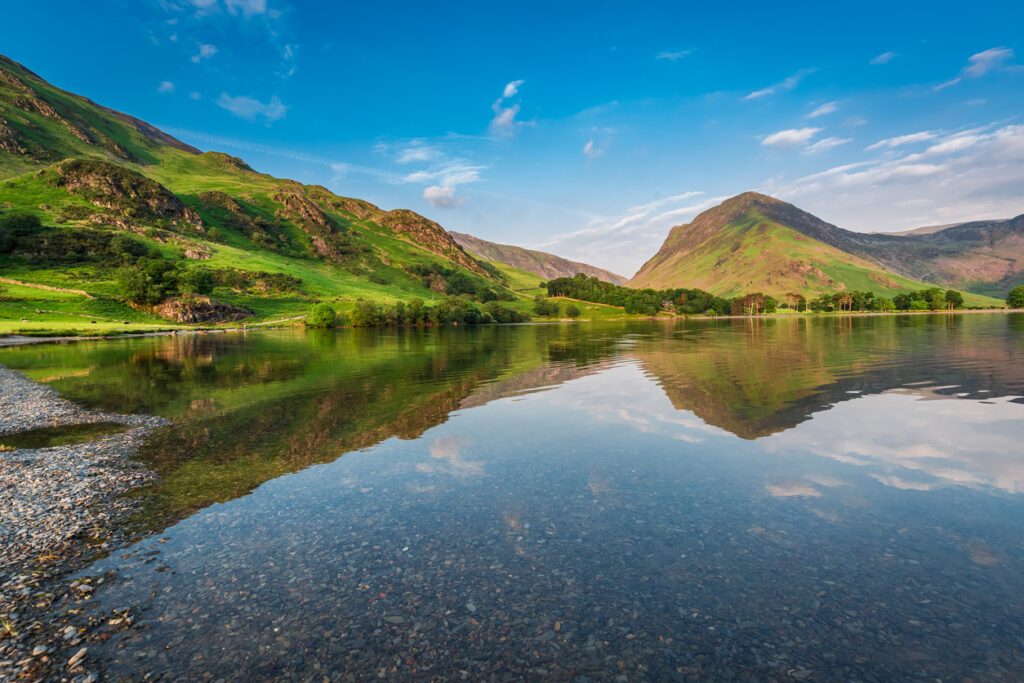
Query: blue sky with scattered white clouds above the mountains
(587, 130)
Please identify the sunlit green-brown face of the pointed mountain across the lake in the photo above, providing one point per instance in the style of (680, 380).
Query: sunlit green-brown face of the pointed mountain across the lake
(753, 243)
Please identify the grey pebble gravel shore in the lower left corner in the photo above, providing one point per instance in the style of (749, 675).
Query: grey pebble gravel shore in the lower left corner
(59, 507)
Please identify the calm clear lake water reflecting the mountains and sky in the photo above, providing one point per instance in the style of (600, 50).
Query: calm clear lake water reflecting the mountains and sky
(737, 500)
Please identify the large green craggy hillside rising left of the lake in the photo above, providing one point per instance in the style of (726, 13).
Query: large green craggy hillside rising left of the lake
(273, 246)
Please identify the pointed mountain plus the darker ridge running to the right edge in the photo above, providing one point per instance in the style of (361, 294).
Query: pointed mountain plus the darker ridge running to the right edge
(757, 243)
